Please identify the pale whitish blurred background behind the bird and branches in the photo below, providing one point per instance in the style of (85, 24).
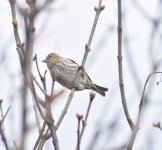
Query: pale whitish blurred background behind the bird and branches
(64, 27)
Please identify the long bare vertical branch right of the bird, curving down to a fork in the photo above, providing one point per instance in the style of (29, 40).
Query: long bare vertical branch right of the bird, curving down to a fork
(120, 67)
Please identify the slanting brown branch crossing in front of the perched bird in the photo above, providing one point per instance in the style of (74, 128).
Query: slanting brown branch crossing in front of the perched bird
(87, 50)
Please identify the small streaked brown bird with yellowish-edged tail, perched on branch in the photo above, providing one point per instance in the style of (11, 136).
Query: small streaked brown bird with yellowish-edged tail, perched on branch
(64, 70)
